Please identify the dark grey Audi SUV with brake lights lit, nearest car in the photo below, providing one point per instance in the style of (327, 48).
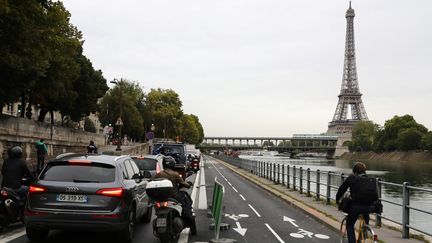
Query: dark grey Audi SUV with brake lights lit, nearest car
(91, 193)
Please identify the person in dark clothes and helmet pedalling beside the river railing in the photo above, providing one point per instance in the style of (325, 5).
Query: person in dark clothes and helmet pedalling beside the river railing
(359, 206)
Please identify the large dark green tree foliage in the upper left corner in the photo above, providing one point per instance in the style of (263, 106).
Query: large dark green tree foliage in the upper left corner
(42, 62)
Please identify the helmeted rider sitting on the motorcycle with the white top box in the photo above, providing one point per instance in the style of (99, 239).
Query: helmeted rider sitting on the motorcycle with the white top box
(177, 181)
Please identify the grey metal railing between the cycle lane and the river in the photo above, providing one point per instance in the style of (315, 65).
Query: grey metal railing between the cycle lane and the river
(294, 177)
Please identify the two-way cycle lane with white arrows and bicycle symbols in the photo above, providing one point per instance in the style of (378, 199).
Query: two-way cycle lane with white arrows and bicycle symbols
(256, 215)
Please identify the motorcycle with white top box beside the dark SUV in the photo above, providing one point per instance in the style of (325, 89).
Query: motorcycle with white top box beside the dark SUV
(171, 218)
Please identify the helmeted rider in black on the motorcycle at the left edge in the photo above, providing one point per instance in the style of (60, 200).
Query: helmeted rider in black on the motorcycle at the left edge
(13, 170)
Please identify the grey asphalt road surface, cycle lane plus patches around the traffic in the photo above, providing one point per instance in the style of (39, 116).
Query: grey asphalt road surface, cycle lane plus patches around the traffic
(253, 214)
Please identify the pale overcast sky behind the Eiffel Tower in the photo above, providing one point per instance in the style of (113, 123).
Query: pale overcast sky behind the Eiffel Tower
(265, 67)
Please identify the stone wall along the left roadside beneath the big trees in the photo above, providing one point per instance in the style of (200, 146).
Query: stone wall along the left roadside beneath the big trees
(25, 133)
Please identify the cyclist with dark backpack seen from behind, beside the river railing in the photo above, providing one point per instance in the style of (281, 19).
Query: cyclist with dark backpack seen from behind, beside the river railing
(363, 193)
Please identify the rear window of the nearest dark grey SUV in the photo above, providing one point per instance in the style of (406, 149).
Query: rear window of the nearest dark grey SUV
(90, 173)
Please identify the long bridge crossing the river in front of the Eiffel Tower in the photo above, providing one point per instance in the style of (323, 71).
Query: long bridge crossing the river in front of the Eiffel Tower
(296, 144)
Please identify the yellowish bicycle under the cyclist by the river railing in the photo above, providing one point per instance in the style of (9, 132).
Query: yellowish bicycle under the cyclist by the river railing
(365, 232)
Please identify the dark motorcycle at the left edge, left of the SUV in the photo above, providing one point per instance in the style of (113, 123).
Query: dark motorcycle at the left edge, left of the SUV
(11, 206)
